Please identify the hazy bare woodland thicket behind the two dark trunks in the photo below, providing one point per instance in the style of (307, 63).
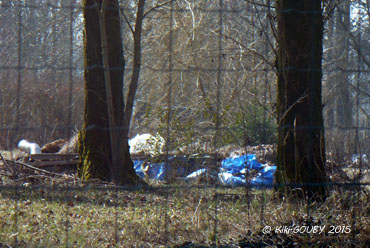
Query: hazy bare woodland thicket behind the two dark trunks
(203, 67)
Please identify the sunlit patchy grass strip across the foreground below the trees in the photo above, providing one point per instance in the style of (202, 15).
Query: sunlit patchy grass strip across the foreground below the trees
(170, 217)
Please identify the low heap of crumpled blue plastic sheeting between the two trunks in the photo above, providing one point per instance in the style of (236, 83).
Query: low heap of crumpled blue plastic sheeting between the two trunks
(241, 170)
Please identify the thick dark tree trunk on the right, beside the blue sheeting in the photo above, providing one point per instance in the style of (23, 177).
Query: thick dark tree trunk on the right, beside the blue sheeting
(301, 149)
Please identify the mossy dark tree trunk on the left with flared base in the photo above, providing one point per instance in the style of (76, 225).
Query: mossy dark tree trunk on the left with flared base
(95, 140)
